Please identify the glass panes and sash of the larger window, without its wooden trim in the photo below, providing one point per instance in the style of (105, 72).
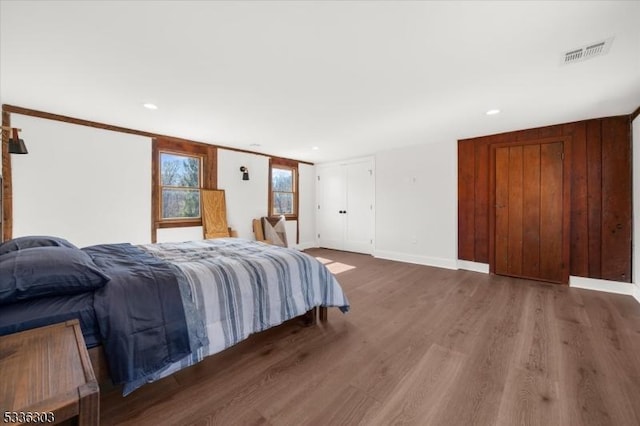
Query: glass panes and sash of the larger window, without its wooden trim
(180, 182)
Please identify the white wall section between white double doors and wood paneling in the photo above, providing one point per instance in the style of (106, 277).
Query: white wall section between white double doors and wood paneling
(416, 204)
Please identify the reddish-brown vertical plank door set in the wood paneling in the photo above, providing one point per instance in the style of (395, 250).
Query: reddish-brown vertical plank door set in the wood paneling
(531, 206)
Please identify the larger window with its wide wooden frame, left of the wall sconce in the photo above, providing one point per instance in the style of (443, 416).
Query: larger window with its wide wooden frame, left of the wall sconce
(180, 169)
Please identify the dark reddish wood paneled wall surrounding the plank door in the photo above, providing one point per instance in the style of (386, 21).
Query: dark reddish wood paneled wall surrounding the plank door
(601, 195)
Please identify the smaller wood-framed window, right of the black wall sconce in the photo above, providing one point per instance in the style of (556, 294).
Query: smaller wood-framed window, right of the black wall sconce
(283, 191)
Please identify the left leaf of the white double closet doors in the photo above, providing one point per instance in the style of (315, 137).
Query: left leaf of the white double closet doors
(331, 202)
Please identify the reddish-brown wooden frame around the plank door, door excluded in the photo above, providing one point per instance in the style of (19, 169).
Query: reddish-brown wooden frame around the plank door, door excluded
(566, 201)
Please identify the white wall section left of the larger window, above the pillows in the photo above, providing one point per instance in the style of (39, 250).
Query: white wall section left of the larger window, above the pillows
(88, 185)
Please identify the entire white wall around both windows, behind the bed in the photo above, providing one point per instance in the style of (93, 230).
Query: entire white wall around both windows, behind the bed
(93, 186)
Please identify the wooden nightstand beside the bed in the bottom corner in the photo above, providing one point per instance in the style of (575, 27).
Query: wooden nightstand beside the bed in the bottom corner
(46, 372)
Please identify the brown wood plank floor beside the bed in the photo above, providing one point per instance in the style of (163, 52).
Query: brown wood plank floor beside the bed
(422, 346)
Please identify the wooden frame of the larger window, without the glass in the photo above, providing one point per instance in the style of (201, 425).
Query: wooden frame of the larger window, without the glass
(208, 178)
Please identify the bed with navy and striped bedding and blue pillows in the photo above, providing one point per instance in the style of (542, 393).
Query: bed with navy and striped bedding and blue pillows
(157, 308)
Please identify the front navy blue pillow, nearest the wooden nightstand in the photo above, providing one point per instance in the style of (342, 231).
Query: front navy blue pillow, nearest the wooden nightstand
(47, 271)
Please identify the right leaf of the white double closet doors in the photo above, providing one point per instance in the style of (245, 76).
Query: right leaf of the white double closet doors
(359, 208)
